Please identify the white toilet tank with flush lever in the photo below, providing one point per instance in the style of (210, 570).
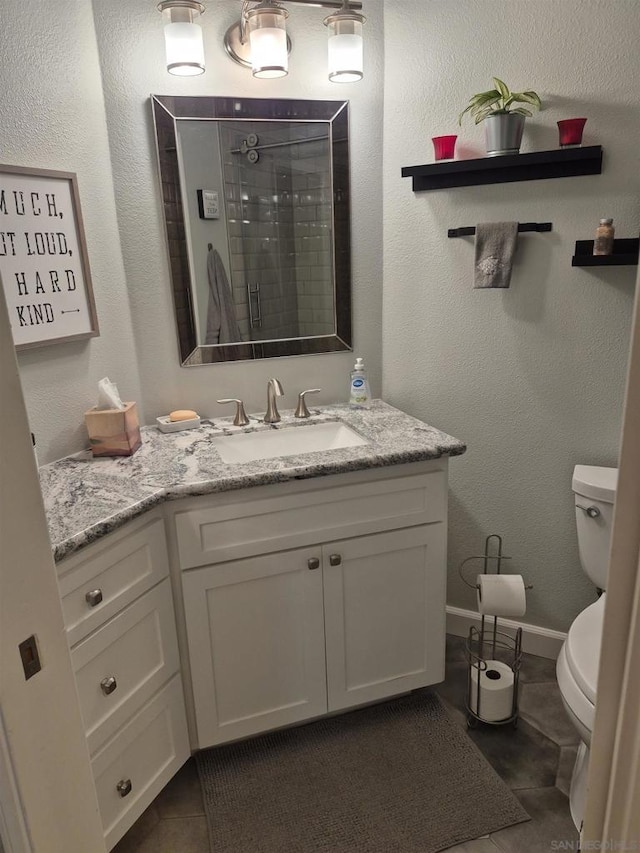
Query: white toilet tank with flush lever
(595, 491)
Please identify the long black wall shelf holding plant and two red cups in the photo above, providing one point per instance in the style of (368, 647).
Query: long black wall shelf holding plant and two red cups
(561, 163)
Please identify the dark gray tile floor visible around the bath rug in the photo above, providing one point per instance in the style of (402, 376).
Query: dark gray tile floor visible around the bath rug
(535, 760)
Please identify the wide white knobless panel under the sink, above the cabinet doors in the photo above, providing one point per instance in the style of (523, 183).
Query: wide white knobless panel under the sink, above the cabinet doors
(236, 528)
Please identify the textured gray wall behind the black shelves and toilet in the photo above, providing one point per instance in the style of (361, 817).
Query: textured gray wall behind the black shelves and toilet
(531, 377)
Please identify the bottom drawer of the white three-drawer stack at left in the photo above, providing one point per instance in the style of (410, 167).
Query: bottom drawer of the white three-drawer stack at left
(141, 759)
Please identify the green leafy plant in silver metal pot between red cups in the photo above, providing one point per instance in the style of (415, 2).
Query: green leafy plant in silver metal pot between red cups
(504, 122)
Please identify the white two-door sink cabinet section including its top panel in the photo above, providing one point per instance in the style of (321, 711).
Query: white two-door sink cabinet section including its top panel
(311, 597)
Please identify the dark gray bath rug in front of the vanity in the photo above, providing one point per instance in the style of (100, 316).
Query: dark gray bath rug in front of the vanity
(400, 777)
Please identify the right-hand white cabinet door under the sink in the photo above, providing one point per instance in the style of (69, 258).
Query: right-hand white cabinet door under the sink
(384, 599)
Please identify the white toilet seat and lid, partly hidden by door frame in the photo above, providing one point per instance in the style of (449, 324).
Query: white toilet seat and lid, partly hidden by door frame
(577, 667)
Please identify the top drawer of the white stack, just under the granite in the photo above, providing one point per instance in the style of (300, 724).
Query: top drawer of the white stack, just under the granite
(118, 570)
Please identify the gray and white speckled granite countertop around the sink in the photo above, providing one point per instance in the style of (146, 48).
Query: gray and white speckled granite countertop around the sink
(86, 498)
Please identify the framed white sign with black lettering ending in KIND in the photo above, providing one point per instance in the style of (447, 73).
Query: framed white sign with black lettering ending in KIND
(43, 258)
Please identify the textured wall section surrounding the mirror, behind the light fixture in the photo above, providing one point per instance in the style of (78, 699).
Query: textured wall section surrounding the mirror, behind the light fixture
(131, 49)
